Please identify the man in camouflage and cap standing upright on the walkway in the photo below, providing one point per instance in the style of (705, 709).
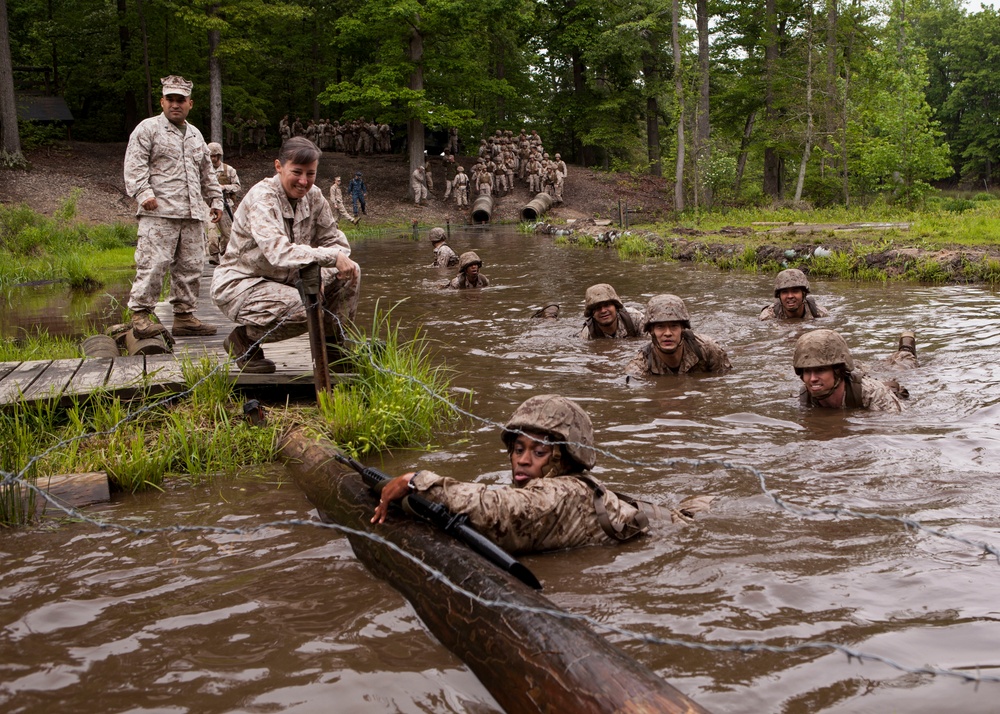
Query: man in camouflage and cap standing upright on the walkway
(169, 173)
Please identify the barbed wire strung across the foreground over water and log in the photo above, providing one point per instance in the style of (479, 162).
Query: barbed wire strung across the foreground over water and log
(18, 478)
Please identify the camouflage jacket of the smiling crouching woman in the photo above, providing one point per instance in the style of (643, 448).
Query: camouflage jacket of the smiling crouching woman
(270, 241)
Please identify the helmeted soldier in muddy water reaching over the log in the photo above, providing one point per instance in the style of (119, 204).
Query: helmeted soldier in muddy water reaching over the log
(553, 503)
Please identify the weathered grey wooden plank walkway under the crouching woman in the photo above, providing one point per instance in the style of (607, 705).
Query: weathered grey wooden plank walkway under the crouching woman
(68, 379)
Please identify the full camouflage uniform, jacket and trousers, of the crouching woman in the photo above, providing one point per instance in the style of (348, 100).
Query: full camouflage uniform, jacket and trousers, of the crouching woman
(255, 283)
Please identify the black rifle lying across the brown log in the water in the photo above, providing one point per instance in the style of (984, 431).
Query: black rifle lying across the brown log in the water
(454, 524)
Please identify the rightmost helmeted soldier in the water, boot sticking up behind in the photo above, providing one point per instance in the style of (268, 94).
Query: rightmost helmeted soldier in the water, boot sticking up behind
(831, 378)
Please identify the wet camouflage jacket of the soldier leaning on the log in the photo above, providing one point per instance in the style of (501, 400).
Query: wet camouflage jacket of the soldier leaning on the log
(547, 514)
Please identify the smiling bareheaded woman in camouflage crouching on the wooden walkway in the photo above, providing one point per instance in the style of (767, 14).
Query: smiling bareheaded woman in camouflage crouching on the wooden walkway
(284, 224)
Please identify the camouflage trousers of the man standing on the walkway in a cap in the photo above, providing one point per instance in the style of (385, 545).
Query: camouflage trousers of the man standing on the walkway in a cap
(173, 244)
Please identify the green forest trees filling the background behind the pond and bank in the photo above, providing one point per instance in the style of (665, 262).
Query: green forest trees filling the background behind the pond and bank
(827, 103)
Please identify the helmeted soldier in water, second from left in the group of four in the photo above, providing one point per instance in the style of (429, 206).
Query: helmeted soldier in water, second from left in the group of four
(673, 347)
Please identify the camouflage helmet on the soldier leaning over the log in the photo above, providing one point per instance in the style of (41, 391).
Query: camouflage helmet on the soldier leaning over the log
(558, 418)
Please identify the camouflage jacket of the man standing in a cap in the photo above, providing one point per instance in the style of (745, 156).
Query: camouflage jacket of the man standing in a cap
(172, 166)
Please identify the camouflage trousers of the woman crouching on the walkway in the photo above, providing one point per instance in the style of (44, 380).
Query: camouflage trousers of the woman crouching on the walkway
(274, 311)
